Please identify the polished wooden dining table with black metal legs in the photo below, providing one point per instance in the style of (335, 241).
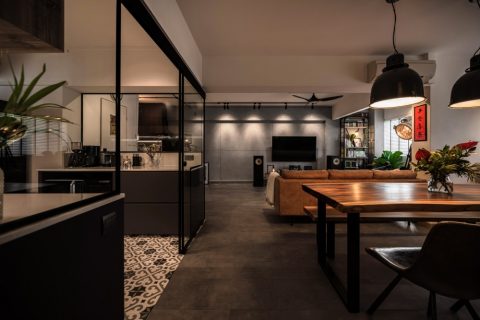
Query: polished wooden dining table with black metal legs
(357, 198)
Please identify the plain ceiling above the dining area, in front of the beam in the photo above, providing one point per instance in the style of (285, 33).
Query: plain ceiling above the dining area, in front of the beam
(326, 27)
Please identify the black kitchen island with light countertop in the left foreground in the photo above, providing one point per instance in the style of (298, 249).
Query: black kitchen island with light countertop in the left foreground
(53, 263)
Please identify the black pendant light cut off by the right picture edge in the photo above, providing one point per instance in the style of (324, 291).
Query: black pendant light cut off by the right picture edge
(466, 91)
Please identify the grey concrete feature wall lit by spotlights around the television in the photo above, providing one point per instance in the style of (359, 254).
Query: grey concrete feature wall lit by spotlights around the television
(233, 137)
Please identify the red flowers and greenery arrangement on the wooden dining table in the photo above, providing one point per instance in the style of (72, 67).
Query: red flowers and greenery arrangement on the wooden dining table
(439, 164)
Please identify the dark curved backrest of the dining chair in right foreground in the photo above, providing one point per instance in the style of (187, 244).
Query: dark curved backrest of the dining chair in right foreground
(449, 262)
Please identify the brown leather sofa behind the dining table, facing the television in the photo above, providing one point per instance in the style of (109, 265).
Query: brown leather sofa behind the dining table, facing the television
(289, 198)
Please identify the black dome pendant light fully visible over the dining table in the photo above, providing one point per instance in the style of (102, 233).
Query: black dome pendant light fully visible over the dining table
(398, 85)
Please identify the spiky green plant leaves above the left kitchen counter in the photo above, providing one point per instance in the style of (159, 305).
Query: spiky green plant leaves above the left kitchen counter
(24, 103)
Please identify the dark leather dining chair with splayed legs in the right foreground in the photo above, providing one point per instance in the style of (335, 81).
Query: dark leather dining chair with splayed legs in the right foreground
(448, 264)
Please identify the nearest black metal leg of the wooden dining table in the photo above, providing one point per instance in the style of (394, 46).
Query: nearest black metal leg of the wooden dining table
(353, 262)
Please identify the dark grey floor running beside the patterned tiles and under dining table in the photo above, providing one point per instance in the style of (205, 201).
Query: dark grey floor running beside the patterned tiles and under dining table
(249, 264)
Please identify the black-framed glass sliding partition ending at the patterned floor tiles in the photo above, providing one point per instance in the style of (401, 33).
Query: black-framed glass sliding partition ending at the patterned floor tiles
(164, 130)
